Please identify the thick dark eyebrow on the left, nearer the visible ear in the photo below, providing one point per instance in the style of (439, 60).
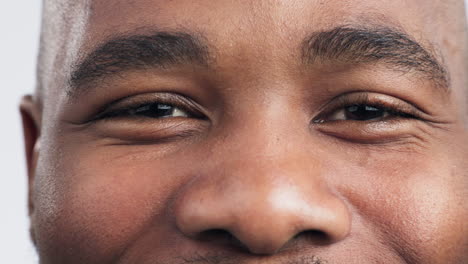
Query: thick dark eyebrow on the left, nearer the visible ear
(158, 50)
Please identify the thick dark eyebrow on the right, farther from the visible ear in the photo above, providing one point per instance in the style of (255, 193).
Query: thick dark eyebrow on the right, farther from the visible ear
(355, 45)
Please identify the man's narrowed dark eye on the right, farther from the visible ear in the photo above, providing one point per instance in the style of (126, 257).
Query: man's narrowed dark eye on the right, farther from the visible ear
(369, 117)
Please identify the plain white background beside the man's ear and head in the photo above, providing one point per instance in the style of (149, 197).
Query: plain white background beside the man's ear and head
(19, 37)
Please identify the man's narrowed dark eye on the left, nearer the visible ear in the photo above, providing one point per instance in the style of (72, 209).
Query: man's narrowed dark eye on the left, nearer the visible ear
(149, 118)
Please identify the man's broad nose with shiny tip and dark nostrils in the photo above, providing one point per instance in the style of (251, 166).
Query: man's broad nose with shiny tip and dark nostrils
(261, 205)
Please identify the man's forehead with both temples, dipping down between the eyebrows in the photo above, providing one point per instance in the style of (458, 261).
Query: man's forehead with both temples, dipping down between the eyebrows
(245, 29)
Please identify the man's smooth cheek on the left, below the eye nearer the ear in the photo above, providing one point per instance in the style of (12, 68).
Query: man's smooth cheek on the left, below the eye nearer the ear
(94, 204)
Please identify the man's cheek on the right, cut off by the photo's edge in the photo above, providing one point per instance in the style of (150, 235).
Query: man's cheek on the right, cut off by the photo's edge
(416, 204)
